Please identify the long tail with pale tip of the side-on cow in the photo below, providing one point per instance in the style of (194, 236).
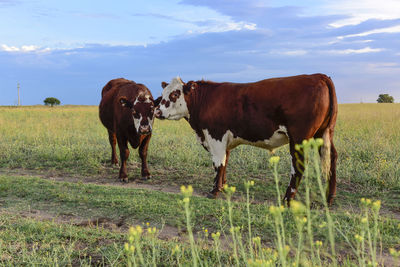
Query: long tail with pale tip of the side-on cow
(328, 132)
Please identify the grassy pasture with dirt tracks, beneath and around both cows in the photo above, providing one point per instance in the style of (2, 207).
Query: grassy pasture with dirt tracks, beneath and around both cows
(61, 203)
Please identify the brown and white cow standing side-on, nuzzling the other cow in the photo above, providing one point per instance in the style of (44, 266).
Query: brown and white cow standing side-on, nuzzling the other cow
(267, 114)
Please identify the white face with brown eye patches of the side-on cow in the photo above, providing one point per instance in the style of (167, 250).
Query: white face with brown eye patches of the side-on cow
(173, 105)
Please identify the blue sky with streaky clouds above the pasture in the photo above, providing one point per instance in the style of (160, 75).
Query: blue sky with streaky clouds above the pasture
(71, 49)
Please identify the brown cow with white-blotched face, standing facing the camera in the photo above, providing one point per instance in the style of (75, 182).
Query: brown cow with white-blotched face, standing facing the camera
(127, 111)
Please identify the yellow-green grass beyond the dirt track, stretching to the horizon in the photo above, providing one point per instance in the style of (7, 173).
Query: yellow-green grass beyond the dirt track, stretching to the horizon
(71, 140)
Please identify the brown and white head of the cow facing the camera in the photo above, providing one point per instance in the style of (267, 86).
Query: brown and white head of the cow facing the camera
(142, 110)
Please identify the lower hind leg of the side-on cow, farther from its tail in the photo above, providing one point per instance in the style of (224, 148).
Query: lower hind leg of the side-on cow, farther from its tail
(297, 170)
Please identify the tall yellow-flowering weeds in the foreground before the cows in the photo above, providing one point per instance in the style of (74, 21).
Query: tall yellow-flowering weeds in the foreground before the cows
(252, 252)
